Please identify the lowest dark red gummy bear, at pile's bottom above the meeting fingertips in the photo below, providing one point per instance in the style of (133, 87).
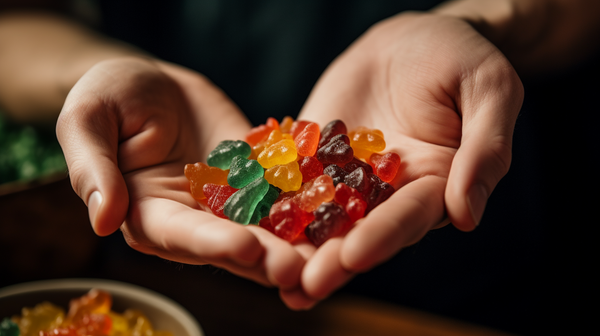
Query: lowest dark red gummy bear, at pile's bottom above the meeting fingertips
(330, 220)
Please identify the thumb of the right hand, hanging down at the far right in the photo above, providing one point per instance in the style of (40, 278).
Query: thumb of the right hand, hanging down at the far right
(489, 105)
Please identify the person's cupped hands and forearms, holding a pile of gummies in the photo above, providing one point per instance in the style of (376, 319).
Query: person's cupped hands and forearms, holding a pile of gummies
(440, 84)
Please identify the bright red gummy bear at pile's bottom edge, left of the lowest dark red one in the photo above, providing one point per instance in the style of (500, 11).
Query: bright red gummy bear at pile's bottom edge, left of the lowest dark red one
(288, 220)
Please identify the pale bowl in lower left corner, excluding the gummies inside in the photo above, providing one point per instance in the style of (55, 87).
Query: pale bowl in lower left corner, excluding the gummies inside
(163, 313)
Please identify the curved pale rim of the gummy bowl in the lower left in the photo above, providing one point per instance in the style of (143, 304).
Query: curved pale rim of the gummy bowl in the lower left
(117, 287)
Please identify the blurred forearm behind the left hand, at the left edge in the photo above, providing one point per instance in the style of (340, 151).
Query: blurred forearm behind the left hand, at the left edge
(41, 57)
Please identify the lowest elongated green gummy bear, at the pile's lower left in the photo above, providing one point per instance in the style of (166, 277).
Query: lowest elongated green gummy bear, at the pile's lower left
(240, 206)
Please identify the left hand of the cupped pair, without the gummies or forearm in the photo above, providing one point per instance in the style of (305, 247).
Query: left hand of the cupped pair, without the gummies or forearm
(127, 129)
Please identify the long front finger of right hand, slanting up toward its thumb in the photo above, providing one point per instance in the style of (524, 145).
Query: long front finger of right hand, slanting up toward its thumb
(400, 221)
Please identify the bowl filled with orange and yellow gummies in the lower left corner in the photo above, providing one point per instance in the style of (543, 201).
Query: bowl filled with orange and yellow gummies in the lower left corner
(74, 307)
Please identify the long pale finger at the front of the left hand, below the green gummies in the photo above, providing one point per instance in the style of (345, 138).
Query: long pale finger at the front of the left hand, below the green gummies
(171, 228)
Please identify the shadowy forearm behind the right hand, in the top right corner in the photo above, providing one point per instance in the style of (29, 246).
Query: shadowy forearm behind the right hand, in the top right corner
(535, 35)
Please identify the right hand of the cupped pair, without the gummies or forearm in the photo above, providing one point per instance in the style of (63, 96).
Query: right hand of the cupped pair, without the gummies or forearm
(446, 100)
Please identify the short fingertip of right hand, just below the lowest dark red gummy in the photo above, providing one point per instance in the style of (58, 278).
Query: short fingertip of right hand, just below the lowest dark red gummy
(324, 272)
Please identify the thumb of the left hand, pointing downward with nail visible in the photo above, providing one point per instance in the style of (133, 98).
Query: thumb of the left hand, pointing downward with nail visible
(87, 131)
